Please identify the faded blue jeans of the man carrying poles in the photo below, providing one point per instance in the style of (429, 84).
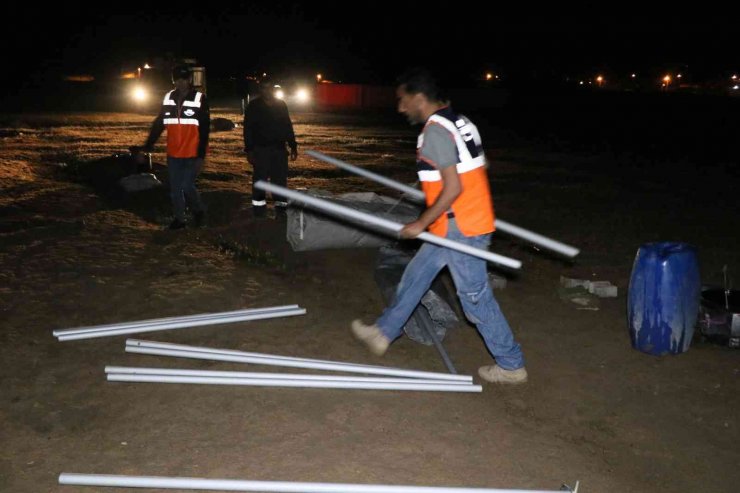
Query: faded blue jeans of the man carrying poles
(473, 289)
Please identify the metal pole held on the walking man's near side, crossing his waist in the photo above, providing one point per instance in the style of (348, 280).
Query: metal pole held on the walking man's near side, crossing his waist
(384, 224)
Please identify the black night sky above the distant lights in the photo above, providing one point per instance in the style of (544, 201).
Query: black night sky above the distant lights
(365, 41)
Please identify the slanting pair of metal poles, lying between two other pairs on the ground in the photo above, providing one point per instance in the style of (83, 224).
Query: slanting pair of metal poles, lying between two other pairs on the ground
(213, 354)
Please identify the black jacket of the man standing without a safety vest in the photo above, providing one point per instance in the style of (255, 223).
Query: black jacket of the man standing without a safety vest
(267, 124)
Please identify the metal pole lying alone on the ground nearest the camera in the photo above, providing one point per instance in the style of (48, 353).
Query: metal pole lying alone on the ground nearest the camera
(264, 486)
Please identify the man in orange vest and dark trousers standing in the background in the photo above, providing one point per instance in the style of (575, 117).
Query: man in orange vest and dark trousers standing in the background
(186, 116)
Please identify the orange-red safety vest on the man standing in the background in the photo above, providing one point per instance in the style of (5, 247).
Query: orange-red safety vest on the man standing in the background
(182, 125)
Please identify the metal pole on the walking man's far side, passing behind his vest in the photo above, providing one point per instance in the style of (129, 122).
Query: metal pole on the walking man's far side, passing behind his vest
(418, 196)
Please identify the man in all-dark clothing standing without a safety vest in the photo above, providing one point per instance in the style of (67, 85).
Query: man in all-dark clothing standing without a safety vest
(268, 133)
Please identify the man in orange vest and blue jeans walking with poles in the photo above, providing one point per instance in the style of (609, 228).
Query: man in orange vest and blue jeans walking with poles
(452, 169)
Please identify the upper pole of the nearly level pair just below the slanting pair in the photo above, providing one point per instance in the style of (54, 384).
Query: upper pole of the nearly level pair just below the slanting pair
(127, 370)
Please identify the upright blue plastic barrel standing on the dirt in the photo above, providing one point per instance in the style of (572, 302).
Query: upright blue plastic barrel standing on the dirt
(664, 297)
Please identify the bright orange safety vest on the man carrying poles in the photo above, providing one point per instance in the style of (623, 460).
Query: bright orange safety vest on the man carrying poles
(473, 209)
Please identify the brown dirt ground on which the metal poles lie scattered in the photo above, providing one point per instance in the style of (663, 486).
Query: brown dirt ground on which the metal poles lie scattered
(75, 252)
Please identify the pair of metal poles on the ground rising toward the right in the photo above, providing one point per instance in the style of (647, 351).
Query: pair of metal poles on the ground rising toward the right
(178, 322)
